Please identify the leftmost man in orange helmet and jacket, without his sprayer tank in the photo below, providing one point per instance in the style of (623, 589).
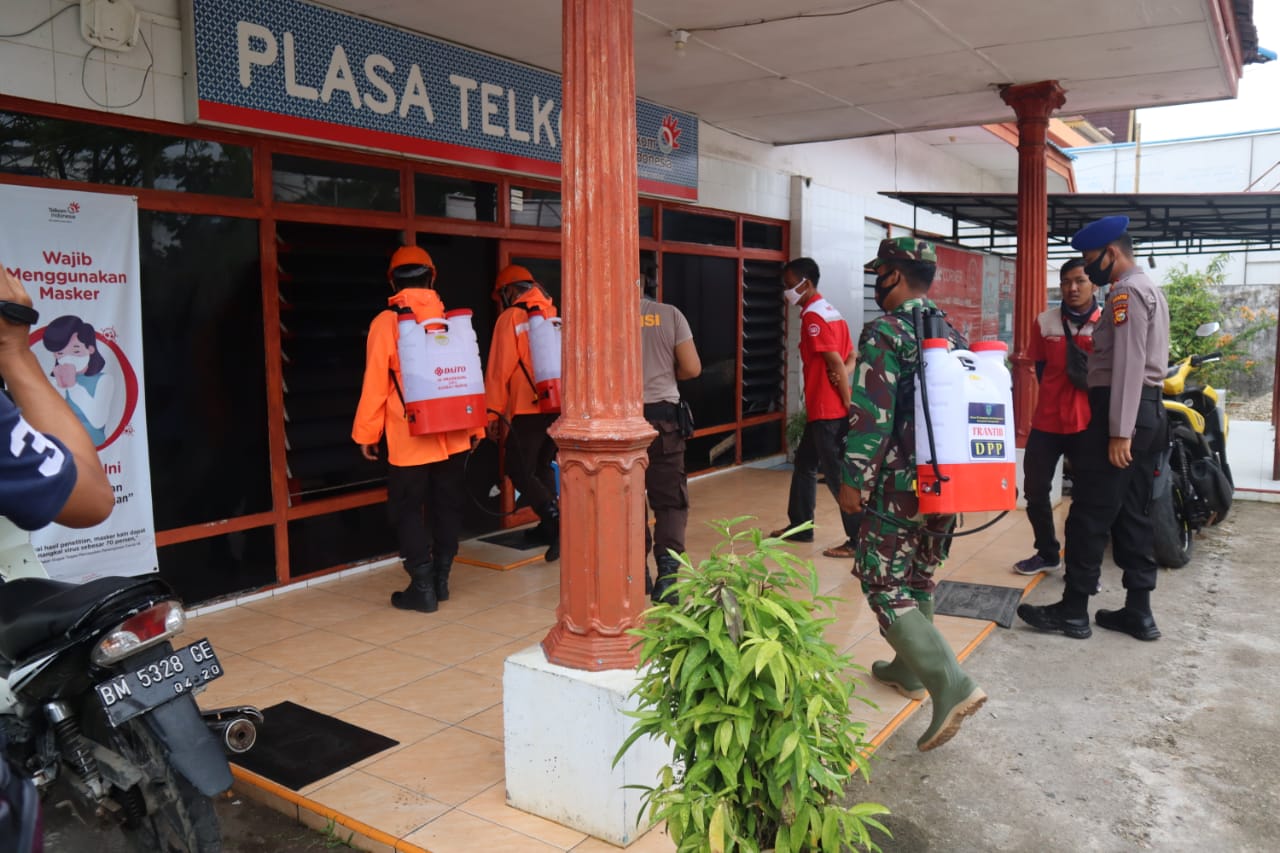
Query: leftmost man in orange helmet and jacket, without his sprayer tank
(424, 477)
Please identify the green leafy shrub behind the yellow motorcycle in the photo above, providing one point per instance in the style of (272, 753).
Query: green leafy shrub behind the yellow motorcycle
(1195, 299)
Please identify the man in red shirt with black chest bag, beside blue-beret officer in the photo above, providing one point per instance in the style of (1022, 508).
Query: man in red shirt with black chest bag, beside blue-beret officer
(1063, 409)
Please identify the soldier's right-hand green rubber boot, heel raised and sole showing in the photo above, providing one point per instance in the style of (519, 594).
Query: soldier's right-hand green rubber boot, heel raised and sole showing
(929, 655)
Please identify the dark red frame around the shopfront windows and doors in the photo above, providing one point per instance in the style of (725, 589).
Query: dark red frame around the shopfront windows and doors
(263, 208)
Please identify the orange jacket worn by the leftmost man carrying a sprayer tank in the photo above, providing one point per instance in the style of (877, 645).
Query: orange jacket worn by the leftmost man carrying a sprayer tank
(382, 410)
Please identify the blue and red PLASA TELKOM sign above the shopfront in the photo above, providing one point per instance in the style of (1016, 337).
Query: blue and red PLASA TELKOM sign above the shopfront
(298, 70)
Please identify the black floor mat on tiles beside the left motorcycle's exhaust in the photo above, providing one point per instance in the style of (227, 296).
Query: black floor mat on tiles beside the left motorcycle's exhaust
(298, 746)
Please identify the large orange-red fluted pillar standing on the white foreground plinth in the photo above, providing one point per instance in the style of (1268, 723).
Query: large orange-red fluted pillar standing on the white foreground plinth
(602, 434)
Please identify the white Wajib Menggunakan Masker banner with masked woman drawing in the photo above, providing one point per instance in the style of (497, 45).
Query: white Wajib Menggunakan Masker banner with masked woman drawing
(77, 256)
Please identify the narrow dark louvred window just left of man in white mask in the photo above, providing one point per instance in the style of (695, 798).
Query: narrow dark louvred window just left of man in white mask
(764, 337)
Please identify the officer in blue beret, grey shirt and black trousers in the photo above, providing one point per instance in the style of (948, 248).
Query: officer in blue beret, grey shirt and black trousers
(1114, 464)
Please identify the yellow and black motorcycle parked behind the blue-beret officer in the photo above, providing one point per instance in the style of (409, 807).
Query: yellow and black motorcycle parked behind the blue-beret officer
(1194, 483)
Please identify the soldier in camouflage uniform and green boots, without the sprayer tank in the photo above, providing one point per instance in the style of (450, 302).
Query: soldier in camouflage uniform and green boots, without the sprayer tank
(897, 554)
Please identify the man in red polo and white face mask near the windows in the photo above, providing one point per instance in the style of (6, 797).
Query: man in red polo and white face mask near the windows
(825, 350)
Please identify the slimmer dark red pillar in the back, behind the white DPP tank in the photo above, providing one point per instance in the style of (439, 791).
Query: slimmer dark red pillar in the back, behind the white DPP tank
(1032, 103)
